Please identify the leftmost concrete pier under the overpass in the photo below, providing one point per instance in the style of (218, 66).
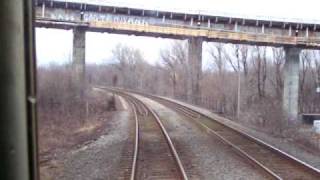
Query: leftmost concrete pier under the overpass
(78, 57)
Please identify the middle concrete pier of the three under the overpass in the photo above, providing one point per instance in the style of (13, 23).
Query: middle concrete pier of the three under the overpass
(194, 68)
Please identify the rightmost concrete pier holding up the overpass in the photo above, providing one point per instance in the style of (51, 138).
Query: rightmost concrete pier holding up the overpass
(291, 84)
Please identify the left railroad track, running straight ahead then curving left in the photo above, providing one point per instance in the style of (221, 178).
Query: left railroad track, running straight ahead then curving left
(154, 155)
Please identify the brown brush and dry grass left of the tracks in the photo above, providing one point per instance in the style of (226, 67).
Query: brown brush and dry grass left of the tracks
(66, 120)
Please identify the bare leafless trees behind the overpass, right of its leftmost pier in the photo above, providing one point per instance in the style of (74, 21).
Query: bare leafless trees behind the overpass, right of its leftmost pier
(258, 69)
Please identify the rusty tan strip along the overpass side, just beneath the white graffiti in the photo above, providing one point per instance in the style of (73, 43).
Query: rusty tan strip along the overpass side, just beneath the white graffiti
(196, 31)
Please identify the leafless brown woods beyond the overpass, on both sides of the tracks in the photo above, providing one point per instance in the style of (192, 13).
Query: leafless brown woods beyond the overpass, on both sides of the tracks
(256, 70)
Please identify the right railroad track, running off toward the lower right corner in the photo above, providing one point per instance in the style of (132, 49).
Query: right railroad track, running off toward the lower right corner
(272, 161)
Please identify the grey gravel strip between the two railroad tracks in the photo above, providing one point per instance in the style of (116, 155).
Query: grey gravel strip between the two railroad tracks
(202, 154)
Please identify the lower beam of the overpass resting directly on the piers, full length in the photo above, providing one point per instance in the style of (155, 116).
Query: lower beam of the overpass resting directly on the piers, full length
(183, 32)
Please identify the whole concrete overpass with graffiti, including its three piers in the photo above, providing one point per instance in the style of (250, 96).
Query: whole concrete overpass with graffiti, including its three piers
(196, 27)
